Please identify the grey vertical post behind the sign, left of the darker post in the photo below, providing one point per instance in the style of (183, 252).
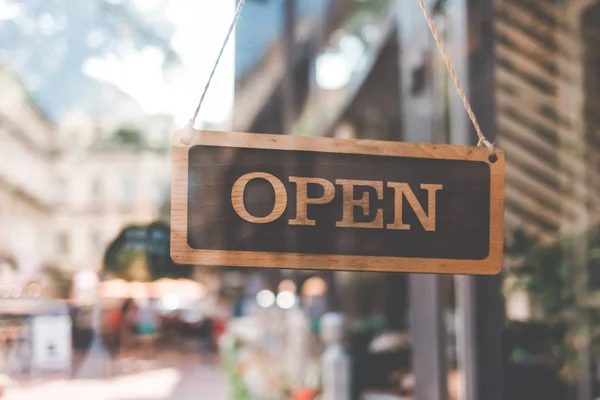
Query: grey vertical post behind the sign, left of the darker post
(418, 115)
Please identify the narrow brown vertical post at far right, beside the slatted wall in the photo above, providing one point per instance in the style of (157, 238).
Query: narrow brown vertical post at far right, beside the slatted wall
(576, 185)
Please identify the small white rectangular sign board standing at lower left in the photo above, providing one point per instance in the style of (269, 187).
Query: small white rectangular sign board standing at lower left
(51, 342)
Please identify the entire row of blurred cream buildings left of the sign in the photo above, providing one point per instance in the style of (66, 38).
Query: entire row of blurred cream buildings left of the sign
(68, 190)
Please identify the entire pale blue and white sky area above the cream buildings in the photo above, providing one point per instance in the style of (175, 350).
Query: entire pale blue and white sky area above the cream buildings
(51, 43)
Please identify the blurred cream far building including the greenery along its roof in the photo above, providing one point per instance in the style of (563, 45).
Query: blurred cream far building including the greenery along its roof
(116, 175)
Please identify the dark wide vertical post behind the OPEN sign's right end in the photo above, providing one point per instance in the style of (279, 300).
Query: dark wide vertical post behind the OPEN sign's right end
(480, 306)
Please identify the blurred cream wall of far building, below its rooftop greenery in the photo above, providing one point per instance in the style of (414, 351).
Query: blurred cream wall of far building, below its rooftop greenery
(102, 192)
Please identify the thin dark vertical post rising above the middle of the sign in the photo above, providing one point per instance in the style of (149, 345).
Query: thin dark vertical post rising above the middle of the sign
(289, 89)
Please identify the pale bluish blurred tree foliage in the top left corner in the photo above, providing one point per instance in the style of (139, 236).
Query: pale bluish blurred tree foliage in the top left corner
(66, 34)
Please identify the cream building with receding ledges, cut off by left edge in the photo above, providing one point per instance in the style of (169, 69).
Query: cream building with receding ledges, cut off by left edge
(25, 170)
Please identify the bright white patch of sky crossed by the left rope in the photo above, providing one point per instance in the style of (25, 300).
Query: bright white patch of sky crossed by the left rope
(200, 28)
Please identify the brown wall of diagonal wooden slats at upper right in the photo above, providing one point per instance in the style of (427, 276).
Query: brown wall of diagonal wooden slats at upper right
(545, 97)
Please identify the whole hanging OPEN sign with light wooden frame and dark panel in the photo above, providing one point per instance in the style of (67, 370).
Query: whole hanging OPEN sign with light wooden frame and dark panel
(318, 203)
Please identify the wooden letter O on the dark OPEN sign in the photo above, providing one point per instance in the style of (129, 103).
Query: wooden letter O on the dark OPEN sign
(237, 197)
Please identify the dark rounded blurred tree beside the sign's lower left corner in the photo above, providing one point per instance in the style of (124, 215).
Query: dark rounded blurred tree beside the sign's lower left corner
(142, 253)
